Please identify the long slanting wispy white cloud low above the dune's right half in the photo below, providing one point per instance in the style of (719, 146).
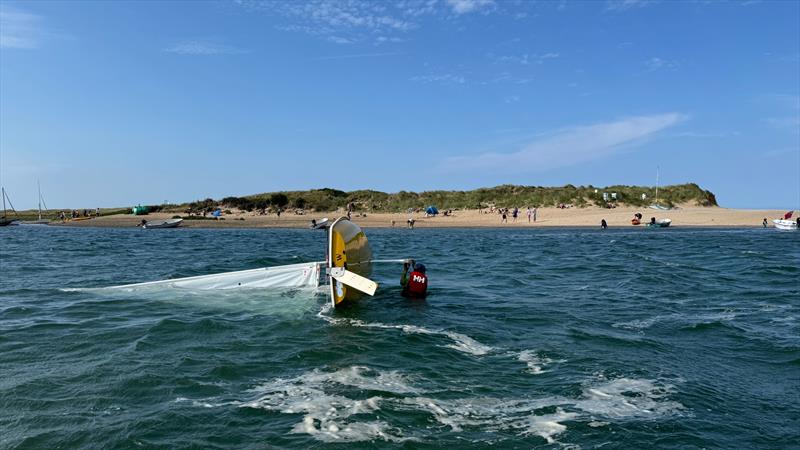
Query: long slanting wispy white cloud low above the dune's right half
(570, 146)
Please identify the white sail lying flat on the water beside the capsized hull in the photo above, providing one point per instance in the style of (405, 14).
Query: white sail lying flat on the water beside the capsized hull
(304, 275)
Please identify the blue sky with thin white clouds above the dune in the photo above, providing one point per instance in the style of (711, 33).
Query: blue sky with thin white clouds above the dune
(116, 103)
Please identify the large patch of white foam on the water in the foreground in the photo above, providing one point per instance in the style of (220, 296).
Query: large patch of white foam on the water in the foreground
(357, 403)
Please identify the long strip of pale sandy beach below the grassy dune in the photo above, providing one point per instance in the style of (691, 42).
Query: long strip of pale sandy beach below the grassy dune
(546, 217)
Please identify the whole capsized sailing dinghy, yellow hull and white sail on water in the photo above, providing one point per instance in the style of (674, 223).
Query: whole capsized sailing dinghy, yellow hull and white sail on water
(347, 266)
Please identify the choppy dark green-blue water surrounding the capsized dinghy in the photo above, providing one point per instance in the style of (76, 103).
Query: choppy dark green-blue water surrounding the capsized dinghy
(530, 338)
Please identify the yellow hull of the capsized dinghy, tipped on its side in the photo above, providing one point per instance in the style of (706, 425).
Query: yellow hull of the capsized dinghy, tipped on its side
(347, 247)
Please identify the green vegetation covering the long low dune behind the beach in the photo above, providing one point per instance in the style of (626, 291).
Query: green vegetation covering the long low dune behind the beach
(510, 196)
